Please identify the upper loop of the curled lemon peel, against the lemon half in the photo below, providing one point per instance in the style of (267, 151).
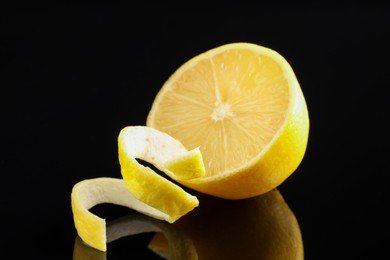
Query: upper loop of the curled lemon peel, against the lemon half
(161, 150)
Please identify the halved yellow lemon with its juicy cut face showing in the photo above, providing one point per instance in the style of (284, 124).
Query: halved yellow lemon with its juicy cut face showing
(242, 105)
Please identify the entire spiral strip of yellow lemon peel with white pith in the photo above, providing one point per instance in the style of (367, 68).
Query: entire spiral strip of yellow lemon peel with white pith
(141, 188)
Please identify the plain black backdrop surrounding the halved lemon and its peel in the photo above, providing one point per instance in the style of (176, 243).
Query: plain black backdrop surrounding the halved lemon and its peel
(72, 76)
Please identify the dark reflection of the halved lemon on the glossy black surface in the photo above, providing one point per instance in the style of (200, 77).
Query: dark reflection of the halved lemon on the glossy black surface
(263, 227)
